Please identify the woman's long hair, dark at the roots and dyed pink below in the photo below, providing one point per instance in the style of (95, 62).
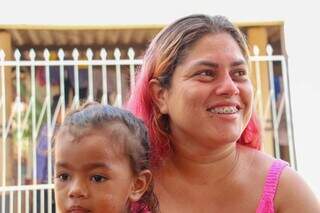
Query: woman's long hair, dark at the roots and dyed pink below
(164, 53)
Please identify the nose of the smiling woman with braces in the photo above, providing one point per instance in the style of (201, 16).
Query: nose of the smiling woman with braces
(227, 87)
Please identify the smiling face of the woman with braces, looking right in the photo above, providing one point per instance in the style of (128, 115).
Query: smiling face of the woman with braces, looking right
(210, 98)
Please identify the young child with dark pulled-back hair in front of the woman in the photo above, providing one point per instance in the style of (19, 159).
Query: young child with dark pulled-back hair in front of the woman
(101, 158)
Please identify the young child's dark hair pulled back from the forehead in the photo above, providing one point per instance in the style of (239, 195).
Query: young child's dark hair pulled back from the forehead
(93, 115)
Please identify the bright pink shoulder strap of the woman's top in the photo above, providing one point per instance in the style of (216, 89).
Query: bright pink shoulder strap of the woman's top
(266, 204)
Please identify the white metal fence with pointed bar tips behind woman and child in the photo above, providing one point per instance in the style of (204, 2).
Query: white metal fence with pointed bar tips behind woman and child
(28, 94)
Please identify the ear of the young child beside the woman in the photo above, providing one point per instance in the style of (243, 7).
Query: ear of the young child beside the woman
(140, 185)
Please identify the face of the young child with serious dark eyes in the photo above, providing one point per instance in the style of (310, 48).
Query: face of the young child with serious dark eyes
(91, 175)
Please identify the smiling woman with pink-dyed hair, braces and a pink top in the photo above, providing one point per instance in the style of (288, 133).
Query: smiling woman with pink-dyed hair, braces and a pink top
(195, 96)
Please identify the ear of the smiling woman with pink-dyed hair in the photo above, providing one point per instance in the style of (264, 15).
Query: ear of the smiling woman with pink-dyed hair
(159, 95)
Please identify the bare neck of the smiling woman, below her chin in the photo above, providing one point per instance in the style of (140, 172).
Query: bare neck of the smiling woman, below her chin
(214, 164)
